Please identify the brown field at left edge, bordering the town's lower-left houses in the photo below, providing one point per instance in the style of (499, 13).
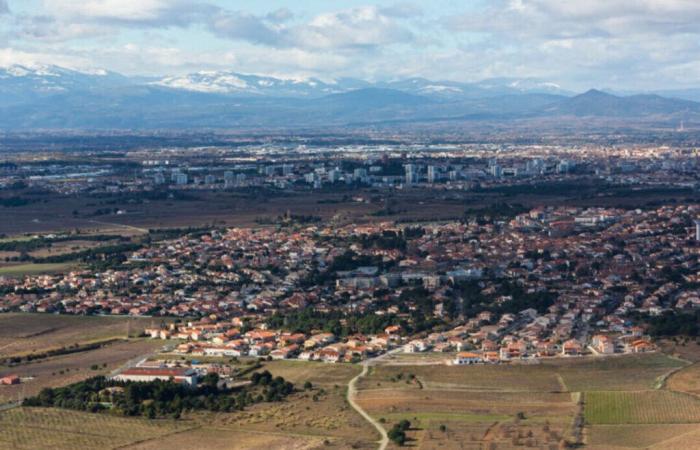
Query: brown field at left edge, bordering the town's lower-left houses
(22, 334)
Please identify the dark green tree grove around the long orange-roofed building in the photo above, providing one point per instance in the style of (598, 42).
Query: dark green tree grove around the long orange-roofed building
(162, 398)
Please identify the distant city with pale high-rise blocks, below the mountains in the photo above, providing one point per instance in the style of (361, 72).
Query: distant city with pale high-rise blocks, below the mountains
(294, 167)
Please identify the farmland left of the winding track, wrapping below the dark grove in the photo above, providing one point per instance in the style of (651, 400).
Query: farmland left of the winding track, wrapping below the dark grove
(315, 418)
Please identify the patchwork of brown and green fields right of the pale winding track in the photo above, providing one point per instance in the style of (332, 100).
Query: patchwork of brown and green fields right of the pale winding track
(535, 405)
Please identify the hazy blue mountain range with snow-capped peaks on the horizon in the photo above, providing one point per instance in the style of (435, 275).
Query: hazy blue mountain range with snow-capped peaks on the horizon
(51, 97)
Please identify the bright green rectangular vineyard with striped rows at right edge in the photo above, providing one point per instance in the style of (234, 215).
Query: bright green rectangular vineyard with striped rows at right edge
(646, 407)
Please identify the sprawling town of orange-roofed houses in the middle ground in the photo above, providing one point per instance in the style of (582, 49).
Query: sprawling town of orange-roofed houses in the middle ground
(548, 282)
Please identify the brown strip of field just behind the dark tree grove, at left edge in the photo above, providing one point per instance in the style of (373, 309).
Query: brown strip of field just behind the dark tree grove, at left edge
(71, 368)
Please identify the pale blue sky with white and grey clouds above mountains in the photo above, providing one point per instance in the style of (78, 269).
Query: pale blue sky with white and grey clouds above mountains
(621, 44)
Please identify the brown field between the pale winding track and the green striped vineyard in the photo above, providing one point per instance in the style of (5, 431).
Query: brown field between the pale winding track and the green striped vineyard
(478, 406)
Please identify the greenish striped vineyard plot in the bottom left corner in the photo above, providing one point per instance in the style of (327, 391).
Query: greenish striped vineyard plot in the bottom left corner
(39, 428)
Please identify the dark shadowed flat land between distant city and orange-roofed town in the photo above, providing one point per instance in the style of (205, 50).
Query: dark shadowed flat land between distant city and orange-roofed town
(54, 213)
